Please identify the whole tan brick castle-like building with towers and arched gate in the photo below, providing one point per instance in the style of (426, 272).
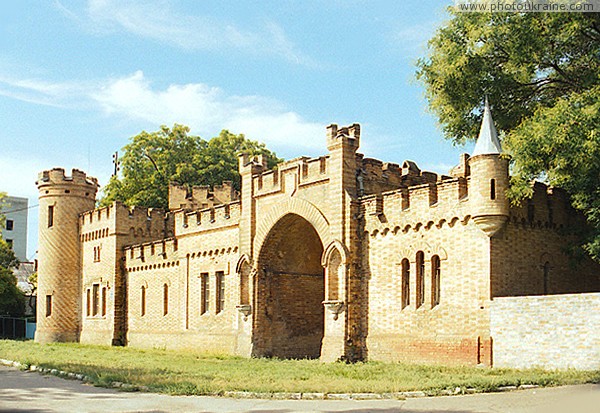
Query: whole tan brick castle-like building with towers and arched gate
(336, 257)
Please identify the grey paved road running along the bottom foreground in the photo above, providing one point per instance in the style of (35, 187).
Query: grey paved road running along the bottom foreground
(31, 392)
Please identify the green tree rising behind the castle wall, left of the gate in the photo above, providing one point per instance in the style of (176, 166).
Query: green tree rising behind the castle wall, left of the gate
(153, 160)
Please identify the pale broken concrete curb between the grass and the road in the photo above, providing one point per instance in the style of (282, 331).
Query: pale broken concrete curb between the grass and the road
(278, 396)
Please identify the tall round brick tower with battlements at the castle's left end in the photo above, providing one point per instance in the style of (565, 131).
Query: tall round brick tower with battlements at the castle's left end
(61, 199)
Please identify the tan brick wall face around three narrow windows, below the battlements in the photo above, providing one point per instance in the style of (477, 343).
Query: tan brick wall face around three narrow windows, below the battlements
(455, 331)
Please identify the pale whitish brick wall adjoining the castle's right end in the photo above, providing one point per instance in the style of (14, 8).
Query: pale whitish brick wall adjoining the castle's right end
(560, 331)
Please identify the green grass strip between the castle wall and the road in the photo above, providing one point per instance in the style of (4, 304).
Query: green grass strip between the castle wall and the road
(195, 373)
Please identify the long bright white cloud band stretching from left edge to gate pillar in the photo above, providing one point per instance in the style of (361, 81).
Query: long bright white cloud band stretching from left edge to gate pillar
(204, 108)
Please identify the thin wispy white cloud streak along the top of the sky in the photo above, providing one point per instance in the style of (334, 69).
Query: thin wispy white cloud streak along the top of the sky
(158, 21)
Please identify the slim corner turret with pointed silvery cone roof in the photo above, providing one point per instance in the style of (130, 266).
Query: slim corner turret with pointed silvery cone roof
(489, 178)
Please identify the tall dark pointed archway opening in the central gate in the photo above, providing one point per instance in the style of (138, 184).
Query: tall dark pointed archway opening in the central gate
(290, 290)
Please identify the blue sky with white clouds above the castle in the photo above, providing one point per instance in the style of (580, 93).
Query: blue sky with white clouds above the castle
(78, 79)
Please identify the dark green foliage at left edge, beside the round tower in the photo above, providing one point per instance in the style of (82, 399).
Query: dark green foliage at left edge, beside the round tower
(12, 300)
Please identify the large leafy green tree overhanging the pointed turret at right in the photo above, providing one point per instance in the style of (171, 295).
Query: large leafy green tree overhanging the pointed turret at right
(541, 72)
